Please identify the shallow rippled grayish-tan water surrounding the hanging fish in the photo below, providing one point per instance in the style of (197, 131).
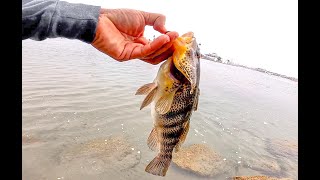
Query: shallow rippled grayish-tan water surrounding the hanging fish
(81, 119)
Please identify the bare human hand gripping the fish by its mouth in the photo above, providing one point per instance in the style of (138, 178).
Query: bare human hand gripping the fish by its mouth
(119, 34)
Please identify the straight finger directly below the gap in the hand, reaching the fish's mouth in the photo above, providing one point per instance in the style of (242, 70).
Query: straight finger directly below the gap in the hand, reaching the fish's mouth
(142, 51)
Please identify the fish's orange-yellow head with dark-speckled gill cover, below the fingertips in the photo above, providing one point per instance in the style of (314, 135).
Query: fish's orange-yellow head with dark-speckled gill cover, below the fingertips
(186, 58)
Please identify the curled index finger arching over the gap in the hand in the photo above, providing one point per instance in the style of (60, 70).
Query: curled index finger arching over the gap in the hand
(156, 20)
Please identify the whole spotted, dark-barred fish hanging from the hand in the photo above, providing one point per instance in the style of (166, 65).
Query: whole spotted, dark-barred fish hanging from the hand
(173, 96)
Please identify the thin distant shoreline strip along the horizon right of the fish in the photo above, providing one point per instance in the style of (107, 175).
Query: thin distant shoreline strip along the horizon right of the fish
(213, 57)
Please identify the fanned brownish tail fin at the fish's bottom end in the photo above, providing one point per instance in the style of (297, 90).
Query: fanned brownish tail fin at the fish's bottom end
(158, 166)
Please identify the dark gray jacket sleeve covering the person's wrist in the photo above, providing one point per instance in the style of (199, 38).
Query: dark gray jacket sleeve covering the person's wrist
(43, 19)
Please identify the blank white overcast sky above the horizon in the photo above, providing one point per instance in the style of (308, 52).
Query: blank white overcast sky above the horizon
(256, 33)
